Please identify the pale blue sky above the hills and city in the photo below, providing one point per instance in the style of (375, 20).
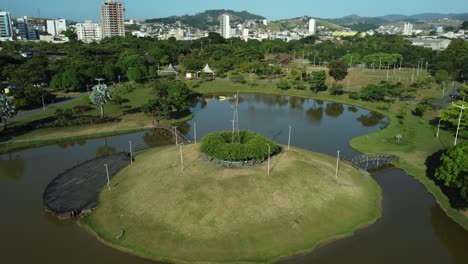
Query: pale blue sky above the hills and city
(80, 10)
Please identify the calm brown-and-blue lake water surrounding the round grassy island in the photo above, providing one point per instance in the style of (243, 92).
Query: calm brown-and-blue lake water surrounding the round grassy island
(413, 228)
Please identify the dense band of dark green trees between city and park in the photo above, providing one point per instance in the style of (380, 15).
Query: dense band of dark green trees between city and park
(74, 66)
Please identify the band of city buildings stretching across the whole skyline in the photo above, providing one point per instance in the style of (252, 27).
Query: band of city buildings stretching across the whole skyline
(113, 24)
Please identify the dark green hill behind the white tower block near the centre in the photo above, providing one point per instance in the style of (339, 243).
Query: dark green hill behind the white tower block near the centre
(208, 18)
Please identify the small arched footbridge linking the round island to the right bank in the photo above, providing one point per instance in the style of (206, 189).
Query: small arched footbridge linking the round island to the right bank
(371, 161)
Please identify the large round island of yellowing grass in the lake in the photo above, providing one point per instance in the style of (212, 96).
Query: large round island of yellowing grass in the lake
(205, 213)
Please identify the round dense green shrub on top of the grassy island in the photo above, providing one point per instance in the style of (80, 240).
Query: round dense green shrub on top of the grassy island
(250, 146)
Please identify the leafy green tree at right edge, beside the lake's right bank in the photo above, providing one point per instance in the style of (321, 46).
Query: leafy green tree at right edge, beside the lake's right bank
(454, 169)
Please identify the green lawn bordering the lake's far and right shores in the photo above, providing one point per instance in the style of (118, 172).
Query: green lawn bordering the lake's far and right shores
(419, 141)
